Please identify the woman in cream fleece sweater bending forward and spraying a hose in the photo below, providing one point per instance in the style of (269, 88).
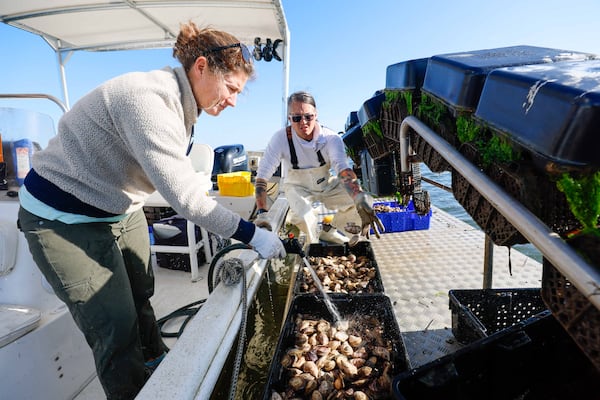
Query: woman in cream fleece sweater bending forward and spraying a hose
(81, 204)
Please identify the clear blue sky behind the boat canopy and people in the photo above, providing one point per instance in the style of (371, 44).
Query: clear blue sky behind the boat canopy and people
(340, 50)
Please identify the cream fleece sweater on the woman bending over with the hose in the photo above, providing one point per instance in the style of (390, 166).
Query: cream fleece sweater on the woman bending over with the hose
(127, 138)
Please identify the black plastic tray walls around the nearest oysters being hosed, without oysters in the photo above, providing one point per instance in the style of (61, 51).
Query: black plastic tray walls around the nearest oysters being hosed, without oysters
(377, 306)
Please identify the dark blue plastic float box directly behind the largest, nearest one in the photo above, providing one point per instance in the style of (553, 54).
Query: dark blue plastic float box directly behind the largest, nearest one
(458, 78)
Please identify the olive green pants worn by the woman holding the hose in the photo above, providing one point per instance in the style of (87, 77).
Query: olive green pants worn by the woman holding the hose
(102, 272)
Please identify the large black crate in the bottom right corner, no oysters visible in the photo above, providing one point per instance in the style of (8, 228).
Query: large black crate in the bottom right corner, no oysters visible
(532, 360)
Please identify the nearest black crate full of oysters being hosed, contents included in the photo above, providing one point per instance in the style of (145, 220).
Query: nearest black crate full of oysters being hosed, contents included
(371, 318)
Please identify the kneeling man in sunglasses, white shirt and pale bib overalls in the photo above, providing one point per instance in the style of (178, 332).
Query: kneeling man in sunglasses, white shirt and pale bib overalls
(307, 152)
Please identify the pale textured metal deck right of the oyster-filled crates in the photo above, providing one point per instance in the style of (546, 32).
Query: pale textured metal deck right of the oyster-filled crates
(418, 268)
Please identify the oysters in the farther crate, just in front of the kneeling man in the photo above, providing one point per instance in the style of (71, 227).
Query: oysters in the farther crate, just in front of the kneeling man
(339, 274)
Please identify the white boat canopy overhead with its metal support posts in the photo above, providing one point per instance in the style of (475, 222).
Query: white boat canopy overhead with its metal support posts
(109, 25)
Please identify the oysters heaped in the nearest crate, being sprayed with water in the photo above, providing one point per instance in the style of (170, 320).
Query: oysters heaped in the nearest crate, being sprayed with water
(337, 362)
